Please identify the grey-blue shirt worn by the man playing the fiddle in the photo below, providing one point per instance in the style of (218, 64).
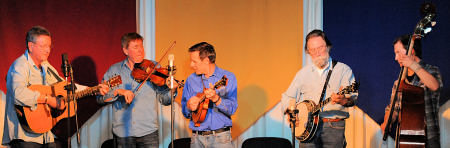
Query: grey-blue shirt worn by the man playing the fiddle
(139, 118)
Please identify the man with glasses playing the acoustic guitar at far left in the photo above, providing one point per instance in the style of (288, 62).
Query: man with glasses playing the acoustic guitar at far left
(31, 69)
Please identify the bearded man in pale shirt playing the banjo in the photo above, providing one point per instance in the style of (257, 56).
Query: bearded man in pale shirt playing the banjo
(308, 85)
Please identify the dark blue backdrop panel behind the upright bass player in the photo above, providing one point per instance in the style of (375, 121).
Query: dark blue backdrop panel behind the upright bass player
(362, 33)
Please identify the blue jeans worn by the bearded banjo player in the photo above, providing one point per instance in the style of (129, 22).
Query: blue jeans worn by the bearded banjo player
(329, 135)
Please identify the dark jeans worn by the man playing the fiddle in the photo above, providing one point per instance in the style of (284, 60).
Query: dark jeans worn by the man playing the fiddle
(147, 141)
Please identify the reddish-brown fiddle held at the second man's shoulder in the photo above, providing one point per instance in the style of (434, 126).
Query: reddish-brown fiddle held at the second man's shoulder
(147, 71)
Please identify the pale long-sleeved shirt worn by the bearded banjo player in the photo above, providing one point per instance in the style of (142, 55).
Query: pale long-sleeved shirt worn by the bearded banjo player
(308, 84)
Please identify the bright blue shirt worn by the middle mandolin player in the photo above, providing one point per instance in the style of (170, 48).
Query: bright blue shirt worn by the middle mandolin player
(217, 116)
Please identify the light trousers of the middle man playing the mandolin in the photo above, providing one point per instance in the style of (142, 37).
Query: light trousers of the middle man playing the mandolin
(218, 140)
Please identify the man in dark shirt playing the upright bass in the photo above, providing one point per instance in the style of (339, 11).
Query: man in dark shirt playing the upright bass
(423, 75)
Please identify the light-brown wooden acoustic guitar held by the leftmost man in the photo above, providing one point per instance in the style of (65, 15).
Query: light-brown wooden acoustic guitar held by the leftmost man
(43, 118)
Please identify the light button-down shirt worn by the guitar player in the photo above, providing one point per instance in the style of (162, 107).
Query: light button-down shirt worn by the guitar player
(22, 73)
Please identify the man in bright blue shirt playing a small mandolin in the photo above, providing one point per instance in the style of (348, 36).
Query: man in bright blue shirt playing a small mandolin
(214, 131)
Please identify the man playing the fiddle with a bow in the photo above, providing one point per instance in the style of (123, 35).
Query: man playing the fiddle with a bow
(135, 117)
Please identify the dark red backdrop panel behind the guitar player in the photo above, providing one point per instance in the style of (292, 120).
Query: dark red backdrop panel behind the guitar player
(88, 31)
